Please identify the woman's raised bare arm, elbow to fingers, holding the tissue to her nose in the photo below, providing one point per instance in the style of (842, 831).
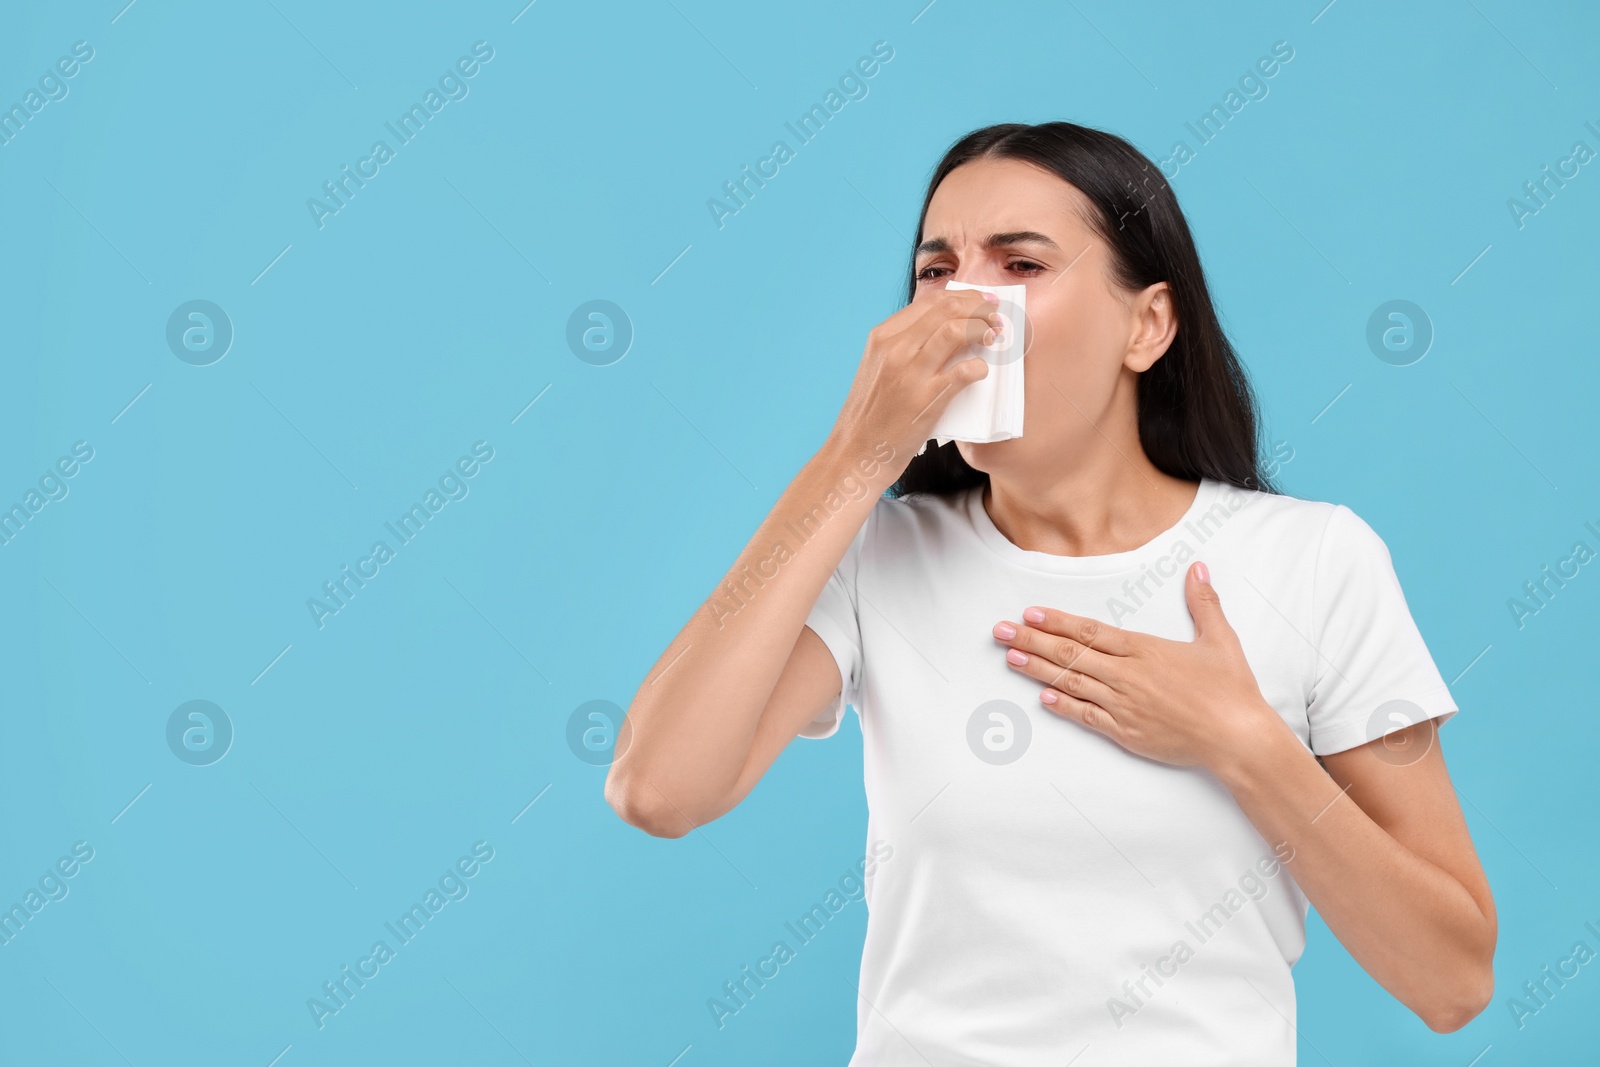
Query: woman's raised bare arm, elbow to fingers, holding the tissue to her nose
(711, 716)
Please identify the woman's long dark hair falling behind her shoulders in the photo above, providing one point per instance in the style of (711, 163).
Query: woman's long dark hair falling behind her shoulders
(1198, 412)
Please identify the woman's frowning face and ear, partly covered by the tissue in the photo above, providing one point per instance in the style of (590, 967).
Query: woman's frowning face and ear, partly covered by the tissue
(1012, 223)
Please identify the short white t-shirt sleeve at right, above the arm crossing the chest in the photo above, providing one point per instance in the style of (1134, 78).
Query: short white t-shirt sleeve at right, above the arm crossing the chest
(1372, 671)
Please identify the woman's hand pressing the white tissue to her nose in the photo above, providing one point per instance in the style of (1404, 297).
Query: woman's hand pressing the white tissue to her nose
(903, 385)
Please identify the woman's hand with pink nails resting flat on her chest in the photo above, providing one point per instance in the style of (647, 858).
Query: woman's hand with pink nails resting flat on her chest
(1182, 703)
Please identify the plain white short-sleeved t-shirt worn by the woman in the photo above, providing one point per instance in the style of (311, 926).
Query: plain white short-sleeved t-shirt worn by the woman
(1049, 893)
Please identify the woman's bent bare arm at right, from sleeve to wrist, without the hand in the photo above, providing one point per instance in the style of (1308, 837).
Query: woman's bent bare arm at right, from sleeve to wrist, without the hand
(1383, 852)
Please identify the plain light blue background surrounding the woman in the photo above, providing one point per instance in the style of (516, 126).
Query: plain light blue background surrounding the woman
(433, 310)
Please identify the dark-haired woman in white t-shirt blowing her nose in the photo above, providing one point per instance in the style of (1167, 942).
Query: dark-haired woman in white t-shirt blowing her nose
(1124, 705)
